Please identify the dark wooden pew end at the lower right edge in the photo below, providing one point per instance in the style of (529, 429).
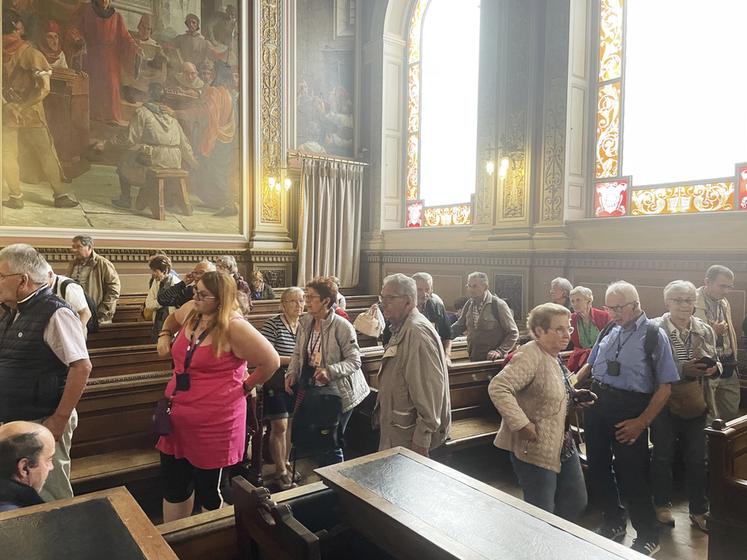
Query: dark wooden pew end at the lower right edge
(727, 459)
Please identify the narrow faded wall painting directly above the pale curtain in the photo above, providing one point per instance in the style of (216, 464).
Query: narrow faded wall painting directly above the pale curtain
(325, 76)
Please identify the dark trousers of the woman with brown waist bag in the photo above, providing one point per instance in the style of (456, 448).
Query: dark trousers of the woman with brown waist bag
(665, 431)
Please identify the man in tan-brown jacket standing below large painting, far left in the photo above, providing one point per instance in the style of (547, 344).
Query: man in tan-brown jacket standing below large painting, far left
(97, 275)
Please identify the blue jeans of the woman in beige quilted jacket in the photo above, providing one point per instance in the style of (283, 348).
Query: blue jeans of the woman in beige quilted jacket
(563, 493)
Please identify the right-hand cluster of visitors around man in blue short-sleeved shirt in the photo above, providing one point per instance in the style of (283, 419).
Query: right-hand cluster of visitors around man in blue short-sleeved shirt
(630, 374)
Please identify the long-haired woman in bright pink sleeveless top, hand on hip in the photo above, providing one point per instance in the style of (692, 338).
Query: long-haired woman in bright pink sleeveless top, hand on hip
(207, 393)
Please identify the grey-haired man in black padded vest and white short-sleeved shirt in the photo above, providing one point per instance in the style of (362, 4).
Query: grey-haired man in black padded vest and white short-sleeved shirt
(44, 363)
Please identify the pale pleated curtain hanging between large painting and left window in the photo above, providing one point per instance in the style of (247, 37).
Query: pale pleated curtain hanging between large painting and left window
(330, 234)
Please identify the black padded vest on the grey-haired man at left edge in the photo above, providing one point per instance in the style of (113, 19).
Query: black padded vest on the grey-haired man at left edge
(32, 378)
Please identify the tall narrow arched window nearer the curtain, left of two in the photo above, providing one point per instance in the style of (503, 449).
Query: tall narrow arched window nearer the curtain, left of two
(443, 54)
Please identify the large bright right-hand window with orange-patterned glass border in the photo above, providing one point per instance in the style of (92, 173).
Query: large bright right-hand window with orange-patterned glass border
(671, 109)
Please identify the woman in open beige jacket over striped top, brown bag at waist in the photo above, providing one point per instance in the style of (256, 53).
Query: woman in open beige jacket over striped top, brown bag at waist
(684, 417)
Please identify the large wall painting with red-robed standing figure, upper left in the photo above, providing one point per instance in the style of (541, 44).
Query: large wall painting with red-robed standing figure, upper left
(121, 118)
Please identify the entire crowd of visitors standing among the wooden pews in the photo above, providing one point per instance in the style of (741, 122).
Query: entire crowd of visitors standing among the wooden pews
(628, 372)
